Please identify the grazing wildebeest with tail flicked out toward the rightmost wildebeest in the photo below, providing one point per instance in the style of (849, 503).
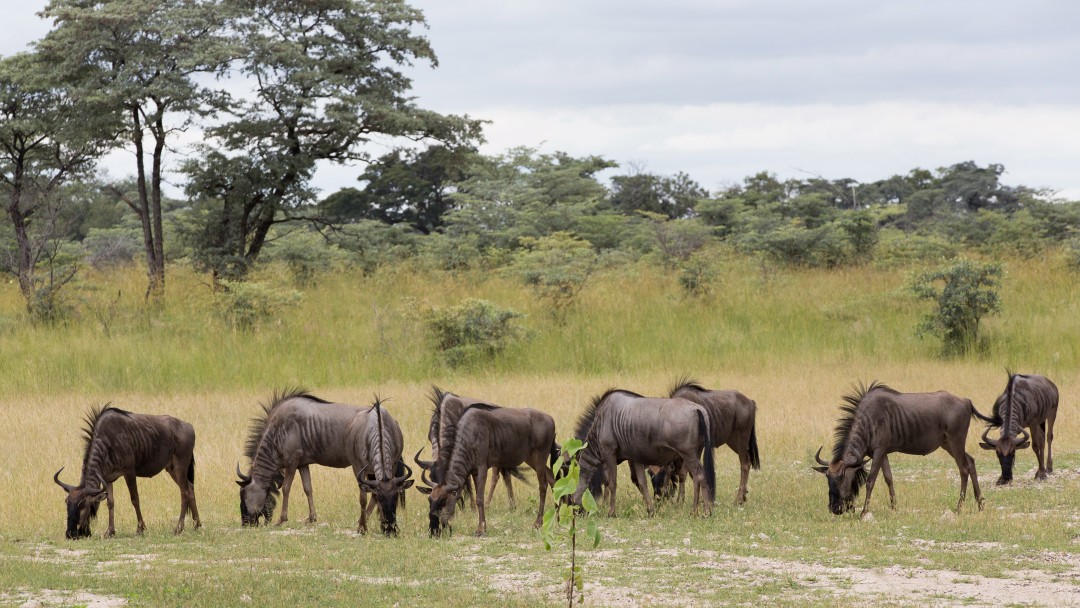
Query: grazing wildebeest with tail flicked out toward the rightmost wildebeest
(877, 422)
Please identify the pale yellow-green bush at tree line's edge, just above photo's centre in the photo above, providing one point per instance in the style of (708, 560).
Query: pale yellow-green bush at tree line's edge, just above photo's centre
(558, 268)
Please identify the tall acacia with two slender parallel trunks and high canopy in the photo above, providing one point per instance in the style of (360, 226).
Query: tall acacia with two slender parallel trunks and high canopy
(142, 58)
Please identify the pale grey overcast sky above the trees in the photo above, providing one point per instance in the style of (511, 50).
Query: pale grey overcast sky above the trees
(724, 89)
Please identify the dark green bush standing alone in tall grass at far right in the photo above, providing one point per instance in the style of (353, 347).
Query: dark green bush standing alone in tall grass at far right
(964, 293)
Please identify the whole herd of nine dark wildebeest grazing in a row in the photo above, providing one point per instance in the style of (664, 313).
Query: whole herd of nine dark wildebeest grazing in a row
(664, 439)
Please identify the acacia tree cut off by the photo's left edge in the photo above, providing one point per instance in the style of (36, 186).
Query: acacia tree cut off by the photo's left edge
(47, 139)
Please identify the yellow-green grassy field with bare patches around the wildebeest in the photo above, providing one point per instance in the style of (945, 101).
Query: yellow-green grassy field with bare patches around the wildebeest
(794, 342)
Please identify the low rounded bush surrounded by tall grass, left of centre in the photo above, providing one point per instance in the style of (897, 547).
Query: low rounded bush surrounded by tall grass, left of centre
(474, 331)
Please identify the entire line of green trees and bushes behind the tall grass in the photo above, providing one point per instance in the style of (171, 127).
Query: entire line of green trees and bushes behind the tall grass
(273, 89)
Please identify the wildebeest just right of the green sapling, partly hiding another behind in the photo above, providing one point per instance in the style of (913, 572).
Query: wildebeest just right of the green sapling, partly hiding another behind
(626, 426)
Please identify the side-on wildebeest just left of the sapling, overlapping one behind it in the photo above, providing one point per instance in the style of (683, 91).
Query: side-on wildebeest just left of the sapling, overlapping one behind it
(488, 437)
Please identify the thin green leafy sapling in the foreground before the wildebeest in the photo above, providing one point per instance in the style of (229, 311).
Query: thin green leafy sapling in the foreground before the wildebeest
(561, 519)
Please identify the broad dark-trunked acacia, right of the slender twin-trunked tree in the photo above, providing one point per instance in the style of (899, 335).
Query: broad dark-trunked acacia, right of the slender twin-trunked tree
(326, 78)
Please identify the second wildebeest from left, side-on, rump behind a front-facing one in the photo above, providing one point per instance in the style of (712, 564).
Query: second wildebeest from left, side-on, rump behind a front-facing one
(296, 430)
